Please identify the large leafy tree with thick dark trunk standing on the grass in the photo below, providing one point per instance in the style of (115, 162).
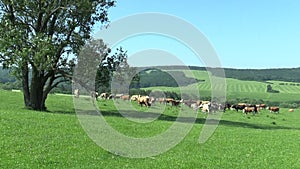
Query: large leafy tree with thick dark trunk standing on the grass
(40, 39)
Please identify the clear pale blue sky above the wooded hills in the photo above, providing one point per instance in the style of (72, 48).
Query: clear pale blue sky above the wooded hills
(245, 34)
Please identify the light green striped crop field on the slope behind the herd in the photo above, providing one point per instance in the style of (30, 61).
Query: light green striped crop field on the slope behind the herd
(238, 88)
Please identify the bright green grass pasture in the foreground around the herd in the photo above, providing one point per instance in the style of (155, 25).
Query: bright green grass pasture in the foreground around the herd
(55, 139)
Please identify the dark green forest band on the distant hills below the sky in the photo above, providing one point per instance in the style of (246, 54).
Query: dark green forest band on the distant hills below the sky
(174, 78)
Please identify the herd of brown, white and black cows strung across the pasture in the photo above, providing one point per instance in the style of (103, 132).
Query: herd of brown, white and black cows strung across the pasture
(204, 106)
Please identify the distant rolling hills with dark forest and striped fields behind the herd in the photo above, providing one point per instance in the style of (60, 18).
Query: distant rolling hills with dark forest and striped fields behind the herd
(240, 83)
